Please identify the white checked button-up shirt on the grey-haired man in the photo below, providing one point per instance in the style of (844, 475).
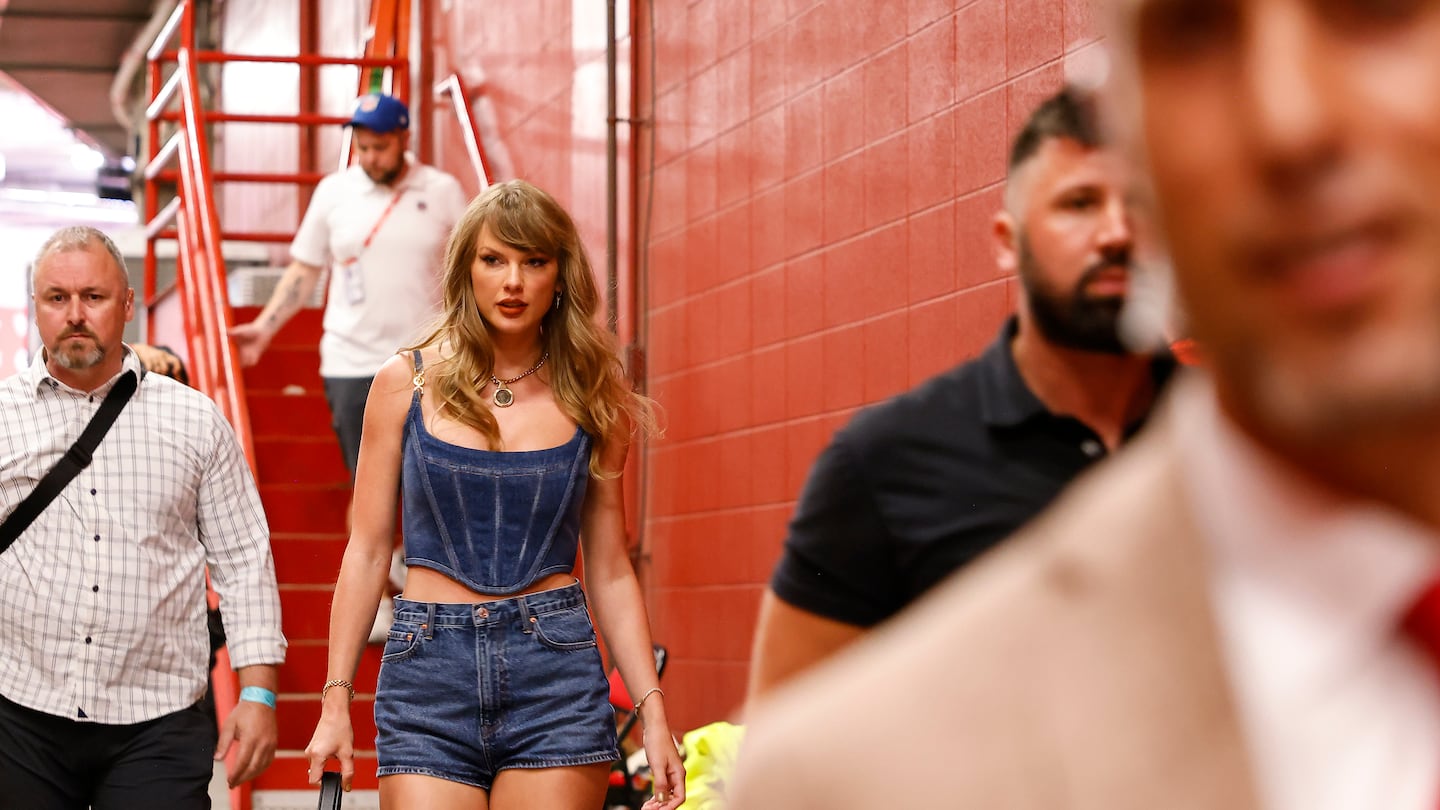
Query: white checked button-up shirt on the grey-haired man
(103, 613)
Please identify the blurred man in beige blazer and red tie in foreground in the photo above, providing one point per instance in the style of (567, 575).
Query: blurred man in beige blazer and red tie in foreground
(1236, 612)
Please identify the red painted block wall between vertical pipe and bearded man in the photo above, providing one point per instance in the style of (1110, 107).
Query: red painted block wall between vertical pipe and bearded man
(824, 181)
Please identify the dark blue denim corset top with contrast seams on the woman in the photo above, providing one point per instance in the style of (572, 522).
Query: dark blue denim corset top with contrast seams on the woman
(493, 521)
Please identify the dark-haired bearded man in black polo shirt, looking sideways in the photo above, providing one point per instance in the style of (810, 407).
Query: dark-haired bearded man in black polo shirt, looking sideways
(919, 486)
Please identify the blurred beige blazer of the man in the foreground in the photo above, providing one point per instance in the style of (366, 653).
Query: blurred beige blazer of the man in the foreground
(1078, 667)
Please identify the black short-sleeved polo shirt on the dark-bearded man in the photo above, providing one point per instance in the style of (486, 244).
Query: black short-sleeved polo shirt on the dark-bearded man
(915, 488)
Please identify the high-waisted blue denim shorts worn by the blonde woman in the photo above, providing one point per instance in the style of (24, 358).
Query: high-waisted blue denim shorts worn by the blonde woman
(470, 690)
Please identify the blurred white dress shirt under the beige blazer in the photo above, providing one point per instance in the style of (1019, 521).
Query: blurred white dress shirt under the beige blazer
(1340, 710)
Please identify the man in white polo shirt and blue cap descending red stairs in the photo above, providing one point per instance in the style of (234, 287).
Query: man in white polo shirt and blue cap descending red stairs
(381, 227)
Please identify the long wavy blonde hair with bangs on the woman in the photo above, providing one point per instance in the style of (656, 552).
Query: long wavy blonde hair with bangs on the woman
(585, 371)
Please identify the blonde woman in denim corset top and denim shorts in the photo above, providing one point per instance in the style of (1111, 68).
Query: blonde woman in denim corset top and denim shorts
(505, 433)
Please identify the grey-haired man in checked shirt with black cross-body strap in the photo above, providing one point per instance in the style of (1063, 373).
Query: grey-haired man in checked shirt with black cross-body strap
(103, 612)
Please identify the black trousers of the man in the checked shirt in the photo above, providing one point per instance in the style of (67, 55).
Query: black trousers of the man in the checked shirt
(50, 763)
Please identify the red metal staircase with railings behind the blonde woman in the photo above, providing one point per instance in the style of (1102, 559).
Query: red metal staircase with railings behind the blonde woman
(277, 407)
